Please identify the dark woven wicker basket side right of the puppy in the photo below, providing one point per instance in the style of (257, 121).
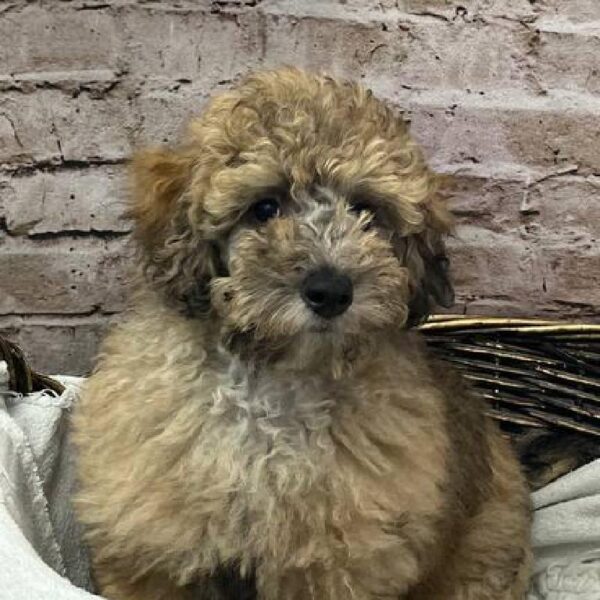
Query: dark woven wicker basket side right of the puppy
(535, 374)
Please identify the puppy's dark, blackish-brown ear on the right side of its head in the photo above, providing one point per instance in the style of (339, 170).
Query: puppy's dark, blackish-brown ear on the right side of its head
(428, 264)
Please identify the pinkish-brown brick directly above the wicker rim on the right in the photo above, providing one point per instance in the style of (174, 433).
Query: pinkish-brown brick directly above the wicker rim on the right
(524, 274)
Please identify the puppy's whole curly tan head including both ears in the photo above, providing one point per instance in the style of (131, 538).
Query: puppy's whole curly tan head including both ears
(297, 206)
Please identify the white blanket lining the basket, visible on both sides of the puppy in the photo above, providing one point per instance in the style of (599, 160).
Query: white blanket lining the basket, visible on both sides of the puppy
(41, 554)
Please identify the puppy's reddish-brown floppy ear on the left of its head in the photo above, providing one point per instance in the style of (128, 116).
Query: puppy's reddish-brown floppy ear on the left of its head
(177, 259)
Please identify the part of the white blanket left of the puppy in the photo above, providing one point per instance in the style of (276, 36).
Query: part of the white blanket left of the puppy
(41, 554)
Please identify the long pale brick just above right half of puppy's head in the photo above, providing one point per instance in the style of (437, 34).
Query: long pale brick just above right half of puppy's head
(390, 55)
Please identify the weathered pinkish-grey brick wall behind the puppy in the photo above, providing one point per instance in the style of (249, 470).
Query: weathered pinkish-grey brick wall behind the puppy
(503, 93)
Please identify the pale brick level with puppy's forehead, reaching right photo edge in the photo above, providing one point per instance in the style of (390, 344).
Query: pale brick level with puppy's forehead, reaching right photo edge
(559, 128)
